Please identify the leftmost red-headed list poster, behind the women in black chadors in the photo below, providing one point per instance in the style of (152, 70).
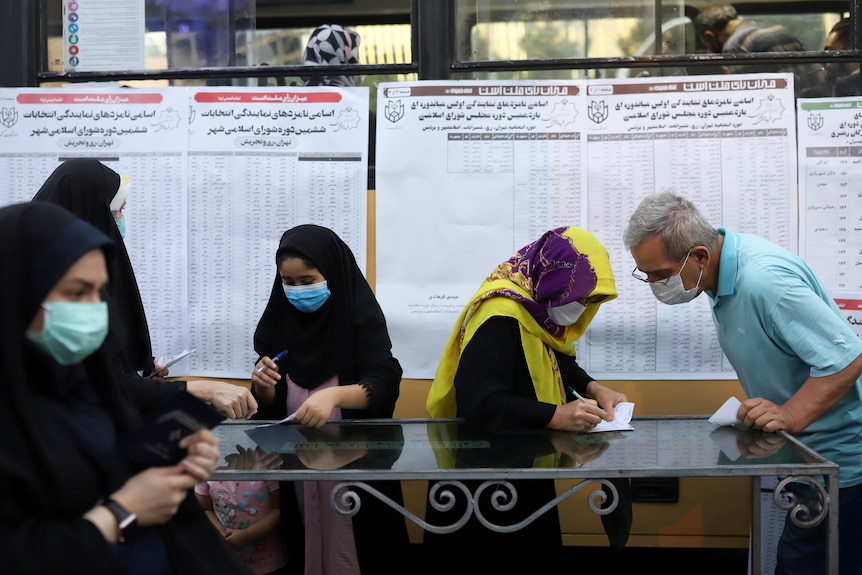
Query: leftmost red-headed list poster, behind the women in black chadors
(139, 133)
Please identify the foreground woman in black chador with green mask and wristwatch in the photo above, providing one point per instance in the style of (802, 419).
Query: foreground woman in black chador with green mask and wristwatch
(69, 503)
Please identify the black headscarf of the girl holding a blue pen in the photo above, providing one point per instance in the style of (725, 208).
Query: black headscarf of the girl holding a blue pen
(347, 336)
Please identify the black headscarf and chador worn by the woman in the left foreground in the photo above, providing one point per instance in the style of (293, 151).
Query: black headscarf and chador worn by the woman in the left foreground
(49, 472)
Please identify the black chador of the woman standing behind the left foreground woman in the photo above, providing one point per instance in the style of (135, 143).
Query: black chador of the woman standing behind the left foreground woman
(85, 187)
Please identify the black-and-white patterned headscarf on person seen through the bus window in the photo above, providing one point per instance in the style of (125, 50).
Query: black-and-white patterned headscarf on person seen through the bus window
(334, 45)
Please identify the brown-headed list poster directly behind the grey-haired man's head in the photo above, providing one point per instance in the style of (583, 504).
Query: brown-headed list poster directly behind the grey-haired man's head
(728, 144)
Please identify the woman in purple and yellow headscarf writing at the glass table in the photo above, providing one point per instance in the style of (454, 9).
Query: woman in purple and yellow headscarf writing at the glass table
(509, 364)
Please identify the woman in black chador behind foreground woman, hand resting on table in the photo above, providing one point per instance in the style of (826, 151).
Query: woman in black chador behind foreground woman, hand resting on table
(87, 188)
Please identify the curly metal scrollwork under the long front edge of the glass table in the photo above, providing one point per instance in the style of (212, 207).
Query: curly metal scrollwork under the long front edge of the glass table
(346, 501)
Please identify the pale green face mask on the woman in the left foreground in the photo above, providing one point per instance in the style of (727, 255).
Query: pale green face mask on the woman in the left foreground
(72, 331)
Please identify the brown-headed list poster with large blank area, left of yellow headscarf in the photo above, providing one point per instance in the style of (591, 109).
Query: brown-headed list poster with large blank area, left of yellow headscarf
(467, 174)
